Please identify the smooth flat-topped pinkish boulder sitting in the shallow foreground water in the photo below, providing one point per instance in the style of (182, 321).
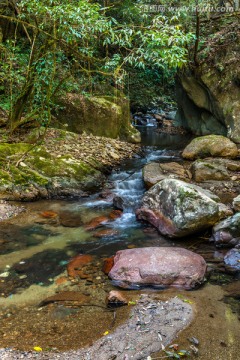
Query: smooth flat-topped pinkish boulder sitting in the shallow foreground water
(158, 266)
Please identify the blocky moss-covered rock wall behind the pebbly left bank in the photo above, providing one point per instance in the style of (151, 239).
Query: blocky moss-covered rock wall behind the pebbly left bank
(107, 116)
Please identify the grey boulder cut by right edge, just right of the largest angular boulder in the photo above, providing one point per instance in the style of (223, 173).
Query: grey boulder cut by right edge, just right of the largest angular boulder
(227, 232)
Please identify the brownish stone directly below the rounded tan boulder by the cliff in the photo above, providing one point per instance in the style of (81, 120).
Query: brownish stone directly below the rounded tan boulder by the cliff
(204, 170)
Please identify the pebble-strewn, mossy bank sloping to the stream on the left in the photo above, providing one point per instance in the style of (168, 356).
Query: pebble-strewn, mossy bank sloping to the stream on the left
(57, 164)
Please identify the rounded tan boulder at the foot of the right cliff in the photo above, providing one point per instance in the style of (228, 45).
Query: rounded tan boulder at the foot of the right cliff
(210, 145)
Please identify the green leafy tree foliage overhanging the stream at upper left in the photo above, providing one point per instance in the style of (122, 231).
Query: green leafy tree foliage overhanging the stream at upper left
(60, 46)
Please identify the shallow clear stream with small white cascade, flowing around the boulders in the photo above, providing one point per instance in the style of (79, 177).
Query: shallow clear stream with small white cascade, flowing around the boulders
(37, 246)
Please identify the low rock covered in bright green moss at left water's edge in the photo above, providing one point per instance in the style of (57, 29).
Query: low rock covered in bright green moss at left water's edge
(40, 175)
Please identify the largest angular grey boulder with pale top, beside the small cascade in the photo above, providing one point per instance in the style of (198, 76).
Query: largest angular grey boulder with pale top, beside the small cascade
(177, 209)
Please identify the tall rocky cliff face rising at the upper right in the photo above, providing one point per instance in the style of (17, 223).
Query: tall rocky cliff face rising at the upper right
(208, 95)
